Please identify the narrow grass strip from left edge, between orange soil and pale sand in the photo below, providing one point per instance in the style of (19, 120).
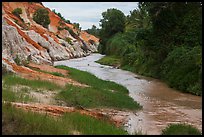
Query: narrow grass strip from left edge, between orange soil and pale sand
(35, 84)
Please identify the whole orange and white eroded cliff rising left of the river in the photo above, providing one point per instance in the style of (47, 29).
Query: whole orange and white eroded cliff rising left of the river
(24, 39)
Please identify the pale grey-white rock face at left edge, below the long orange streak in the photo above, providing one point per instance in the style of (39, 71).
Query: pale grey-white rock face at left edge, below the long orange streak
(15, 46)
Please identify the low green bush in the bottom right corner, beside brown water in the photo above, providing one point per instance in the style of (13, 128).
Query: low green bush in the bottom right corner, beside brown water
(180, 129)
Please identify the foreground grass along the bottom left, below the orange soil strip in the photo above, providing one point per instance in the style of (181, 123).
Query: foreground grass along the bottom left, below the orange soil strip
(18, 122)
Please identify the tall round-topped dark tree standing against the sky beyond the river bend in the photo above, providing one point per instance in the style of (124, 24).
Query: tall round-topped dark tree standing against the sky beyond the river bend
(113, 21)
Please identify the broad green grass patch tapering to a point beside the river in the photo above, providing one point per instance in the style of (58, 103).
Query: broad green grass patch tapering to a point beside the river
(93, 98)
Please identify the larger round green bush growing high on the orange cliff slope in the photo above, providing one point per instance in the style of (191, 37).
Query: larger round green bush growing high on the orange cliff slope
(41, 16)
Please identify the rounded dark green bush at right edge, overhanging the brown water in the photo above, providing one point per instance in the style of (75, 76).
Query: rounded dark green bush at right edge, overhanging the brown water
(182, 69)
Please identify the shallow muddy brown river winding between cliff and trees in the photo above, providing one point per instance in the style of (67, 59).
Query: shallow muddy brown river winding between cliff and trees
(161, 104)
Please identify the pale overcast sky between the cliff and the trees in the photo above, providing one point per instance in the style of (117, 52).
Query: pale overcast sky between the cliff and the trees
(88, 13)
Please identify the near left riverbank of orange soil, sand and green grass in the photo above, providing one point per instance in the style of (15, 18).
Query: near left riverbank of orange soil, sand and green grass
(89, 103)
